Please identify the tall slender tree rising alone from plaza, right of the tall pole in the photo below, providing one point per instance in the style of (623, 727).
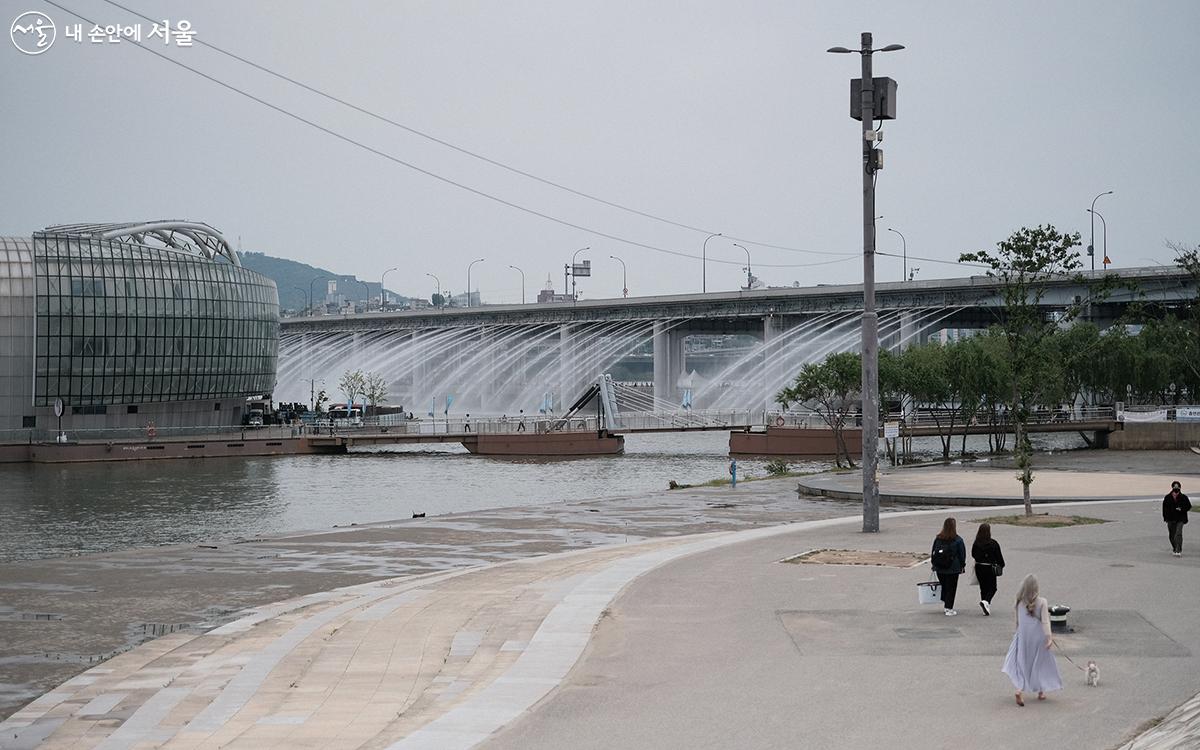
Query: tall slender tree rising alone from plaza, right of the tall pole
(1023, 265)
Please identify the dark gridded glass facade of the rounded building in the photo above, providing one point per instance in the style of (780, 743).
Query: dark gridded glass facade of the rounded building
(124, 323)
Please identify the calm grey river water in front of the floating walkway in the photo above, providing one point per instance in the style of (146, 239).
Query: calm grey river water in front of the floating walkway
(49, 511)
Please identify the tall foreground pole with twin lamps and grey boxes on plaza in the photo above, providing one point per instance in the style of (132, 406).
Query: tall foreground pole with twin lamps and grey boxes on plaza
(873, 161)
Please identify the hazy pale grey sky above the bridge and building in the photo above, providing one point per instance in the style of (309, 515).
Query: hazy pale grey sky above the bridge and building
(728, 117)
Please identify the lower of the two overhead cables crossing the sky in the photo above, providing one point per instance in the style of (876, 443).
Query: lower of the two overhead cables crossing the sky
(435, 176)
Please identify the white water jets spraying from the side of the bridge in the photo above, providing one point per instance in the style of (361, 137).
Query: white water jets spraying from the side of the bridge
(515, 370)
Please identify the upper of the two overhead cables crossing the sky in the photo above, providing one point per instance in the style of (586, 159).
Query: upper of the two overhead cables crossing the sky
(476, 154)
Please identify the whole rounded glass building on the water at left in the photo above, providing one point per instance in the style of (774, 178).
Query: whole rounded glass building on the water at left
(131, 325)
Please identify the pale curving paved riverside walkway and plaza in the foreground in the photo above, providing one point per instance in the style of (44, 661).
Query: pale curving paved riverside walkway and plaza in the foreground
(682, 641)
